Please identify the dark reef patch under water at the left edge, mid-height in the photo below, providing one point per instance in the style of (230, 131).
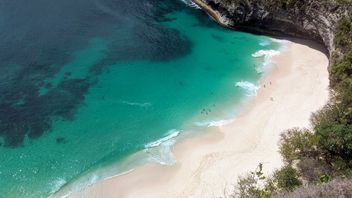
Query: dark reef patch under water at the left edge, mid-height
(23, 112)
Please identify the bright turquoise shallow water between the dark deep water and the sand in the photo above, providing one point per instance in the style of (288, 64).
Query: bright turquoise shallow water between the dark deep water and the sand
(126, 103)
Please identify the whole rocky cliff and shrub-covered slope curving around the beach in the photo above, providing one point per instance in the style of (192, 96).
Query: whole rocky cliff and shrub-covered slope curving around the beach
(327, 152)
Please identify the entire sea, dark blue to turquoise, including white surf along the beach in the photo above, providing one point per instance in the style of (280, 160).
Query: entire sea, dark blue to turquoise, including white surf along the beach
(95, 88)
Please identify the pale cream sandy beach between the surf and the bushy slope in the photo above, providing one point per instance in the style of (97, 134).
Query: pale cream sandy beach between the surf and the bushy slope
(212, 162)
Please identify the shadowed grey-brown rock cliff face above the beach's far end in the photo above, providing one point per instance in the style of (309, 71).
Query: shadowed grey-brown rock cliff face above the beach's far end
(315, 19)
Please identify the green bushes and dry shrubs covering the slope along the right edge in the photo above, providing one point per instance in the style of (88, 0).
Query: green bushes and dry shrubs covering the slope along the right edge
(315, 160)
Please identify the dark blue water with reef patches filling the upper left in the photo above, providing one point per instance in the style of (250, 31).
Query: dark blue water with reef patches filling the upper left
(37, 39)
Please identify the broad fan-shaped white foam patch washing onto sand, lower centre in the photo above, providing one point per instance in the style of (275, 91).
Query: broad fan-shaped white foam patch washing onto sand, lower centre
(160, 150)
